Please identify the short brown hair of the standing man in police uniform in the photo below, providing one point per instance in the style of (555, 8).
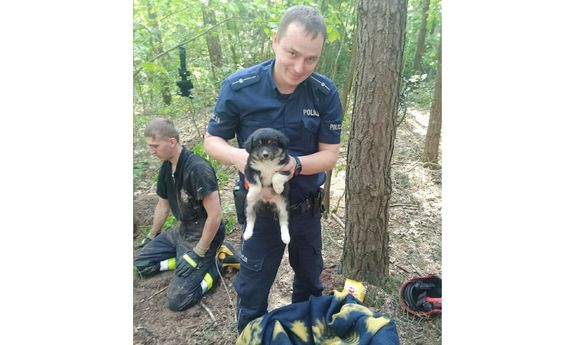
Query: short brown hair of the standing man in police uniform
(312, 21)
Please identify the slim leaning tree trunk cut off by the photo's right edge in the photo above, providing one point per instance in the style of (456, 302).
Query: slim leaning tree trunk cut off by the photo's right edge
(431, 151)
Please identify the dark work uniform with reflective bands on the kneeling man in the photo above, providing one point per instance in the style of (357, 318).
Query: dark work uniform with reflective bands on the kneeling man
(193, 179)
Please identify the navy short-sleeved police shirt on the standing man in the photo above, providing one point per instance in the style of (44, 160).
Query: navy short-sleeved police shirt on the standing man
(249, 99)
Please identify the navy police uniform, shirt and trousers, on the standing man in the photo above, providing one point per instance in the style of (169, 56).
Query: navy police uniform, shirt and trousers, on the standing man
(248, 100)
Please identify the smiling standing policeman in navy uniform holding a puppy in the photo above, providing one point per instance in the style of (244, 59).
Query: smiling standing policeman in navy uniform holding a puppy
(283, 93)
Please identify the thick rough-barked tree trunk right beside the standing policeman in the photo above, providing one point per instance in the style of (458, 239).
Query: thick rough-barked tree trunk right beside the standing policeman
(381, 30)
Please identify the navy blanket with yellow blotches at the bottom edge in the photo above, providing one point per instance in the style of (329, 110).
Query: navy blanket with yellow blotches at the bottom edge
(334, 319)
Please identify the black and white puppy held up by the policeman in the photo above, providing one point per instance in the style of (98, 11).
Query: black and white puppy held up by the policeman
(268, 153)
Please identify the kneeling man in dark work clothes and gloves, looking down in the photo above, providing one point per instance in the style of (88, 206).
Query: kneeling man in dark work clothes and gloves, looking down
(187, 186)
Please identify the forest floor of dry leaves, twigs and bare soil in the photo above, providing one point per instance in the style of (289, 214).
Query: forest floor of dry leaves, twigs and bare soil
(415, 240)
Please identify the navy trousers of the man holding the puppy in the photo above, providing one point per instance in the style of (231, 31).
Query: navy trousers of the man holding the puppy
(261, 256)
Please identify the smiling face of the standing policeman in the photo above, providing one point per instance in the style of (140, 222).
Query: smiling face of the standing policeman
(297, 55)
